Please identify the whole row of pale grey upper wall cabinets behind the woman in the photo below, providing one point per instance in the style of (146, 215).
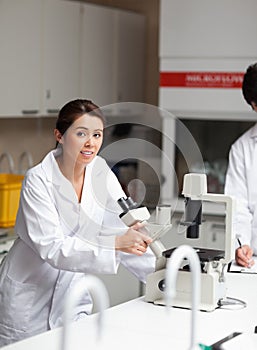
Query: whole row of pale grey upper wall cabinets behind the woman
(53, 51)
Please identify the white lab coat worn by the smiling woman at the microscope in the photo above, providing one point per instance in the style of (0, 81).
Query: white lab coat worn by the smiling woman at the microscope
(60, 240)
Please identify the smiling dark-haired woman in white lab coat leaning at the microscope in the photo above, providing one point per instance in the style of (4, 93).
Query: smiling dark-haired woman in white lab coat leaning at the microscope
(67, 225)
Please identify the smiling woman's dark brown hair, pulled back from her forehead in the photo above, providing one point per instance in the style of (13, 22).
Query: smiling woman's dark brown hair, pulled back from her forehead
(75, 109)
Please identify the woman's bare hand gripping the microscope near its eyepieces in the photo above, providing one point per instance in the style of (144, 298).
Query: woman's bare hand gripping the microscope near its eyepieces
(133, 241)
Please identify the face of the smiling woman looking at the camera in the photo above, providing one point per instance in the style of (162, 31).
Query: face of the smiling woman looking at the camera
(83, 140)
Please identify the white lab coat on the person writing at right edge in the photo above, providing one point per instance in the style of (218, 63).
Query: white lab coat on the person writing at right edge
(241, 182)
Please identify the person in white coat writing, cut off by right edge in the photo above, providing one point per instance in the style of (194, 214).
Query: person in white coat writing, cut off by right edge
(241, 178)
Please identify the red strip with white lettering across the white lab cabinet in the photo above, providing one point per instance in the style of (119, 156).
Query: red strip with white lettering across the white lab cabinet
(219, 80)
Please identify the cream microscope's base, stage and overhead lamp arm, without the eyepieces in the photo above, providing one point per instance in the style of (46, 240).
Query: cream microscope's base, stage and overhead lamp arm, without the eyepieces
(213, 262)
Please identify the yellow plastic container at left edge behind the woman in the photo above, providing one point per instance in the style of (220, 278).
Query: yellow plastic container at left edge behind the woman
(10, 187)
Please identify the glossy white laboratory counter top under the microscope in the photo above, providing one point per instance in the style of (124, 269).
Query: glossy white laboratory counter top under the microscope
(140, 325)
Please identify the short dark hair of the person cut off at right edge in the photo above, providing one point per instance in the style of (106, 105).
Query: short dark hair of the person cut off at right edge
(249, 86)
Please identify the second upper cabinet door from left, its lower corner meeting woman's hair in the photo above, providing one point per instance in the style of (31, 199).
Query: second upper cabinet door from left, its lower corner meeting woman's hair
(60, 53)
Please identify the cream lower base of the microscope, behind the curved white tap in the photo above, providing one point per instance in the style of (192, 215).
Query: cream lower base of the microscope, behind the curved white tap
(211, 290)
